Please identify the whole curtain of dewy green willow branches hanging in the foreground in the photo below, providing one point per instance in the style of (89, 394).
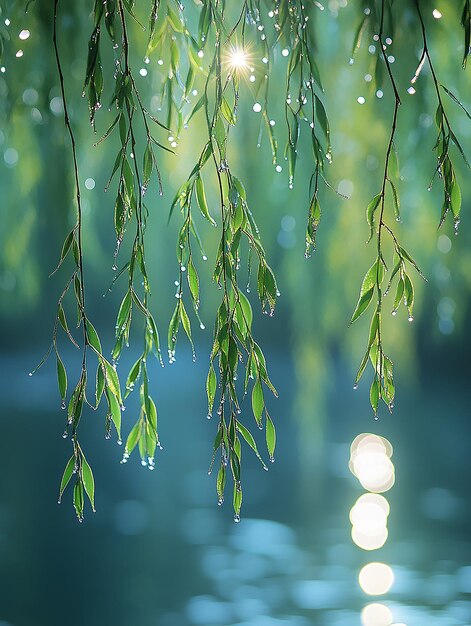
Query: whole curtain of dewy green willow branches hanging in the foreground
(215, 61)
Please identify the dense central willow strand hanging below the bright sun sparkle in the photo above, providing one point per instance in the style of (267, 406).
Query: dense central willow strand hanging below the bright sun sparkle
(234, 346)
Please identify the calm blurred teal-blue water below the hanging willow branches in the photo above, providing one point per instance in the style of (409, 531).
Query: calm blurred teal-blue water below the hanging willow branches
(159, 551)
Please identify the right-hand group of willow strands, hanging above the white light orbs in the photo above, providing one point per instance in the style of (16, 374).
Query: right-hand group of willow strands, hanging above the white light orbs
(382, 387)
